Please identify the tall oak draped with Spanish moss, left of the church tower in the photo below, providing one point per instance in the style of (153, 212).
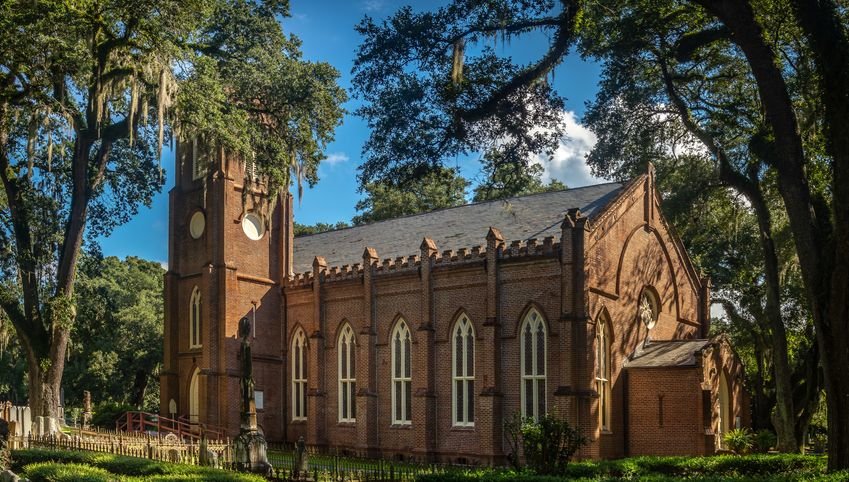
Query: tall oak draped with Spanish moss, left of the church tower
(90, 92)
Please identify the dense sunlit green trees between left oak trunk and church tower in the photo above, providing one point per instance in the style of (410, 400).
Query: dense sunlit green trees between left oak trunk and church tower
(116, 347)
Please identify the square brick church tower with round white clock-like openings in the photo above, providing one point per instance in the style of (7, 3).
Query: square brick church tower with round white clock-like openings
(229, 248)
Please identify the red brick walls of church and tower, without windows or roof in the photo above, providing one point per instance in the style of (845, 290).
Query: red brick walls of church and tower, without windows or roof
(598, 266)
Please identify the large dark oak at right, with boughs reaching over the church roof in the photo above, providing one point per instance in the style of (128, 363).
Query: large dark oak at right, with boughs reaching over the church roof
(759, 87)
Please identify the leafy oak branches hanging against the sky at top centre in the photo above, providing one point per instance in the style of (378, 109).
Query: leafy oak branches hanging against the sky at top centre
(435, 87)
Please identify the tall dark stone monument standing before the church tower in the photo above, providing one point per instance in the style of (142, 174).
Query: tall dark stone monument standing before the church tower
(251, 446)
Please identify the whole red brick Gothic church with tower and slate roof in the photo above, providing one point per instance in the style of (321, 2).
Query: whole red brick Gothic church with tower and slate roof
(417, 337)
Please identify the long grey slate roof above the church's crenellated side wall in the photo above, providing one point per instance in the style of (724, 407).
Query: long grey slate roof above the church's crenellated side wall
(518, 218)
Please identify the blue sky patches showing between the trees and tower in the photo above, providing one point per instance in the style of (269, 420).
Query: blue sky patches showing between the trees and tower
(326, 28)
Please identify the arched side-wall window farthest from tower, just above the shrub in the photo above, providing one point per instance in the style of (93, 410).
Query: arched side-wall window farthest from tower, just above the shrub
(533, 343)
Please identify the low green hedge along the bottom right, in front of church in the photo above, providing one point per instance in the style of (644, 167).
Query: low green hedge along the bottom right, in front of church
(716, 468)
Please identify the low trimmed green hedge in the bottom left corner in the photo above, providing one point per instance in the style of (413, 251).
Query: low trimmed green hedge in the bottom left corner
(62, 465)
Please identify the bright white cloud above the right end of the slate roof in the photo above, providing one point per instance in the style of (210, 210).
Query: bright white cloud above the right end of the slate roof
(568, 163)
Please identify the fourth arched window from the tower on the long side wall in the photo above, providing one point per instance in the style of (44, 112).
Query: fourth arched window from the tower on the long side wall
(463, 373)
